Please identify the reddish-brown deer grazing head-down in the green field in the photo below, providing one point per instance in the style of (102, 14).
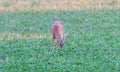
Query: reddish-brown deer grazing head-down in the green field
(57, 33)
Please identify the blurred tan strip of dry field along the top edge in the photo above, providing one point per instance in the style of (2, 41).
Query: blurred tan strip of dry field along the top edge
(45, 5)
